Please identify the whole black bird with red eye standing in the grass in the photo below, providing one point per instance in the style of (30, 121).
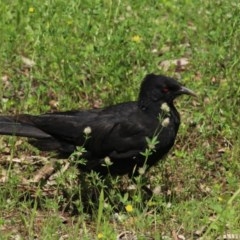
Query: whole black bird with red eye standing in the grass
(119, 133)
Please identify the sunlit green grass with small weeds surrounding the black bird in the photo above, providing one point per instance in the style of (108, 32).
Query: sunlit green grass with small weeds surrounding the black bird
(58, 55)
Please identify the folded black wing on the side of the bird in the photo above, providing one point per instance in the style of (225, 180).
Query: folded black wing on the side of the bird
(114, 131)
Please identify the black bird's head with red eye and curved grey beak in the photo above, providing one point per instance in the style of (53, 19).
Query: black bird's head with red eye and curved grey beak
(159, 88)
